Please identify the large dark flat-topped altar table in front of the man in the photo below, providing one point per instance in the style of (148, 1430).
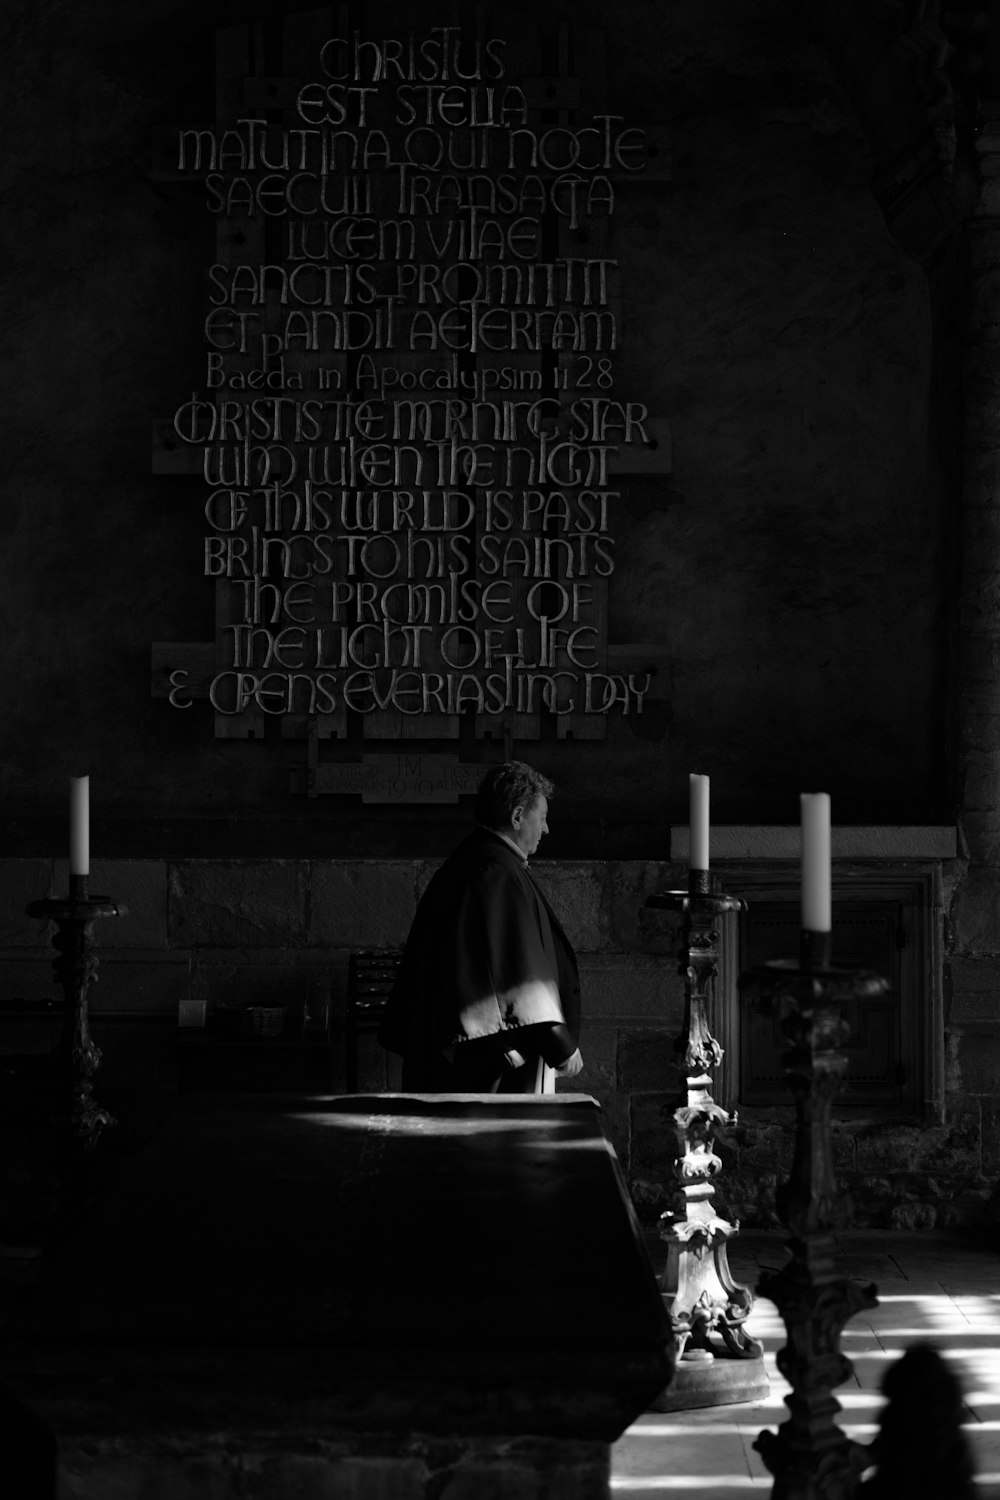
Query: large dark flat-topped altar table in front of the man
(350, 1282)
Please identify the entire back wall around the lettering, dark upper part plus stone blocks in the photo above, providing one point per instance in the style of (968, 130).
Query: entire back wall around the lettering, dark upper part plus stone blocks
(797, 575)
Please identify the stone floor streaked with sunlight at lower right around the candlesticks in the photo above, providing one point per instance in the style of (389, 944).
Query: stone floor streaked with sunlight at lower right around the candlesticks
(930, 1288)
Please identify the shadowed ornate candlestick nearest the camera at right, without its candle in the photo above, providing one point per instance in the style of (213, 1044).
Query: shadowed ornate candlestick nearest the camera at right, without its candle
(810, 1457)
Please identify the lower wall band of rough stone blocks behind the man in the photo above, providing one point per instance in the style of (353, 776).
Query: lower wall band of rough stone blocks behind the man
(281, 932)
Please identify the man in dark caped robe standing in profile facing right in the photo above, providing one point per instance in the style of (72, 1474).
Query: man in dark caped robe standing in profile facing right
(488, 991)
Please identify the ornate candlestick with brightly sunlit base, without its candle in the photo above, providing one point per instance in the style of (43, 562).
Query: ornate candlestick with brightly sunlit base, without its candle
(717, 1360)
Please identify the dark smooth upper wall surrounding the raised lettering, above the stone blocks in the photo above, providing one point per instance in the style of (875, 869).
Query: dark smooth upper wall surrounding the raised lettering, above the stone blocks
(768, 317)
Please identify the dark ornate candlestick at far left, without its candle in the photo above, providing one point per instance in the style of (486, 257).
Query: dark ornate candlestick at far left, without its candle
(76, 971)
